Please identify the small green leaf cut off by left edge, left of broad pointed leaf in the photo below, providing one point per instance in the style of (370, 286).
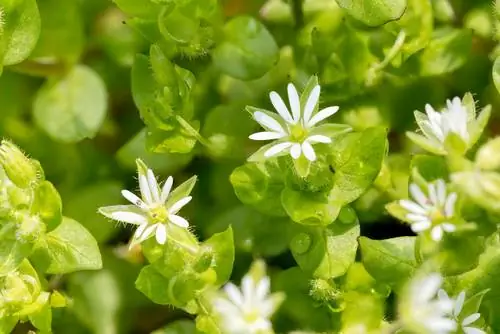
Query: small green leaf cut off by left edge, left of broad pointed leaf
(12, 249)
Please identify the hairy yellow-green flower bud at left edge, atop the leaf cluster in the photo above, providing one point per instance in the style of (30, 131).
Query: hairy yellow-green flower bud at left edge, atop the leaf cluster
(21, 170)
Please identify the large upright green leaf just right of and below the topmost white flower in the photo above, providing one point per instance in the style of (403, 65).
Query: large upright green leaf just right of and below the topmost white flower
(356, 159)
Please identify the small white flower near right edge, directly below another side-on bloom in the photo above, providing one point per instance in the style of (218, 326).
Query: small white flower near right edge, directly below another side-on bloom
(432, 211)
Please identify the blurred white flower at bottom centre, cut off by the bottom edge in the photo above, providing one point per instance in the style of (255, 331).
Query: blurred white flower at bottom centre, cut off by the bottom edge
(247, 311)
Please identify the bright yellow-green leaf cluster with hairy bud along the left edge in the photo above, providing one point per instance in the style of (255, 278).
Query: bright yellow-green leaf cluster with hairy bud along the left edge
(37, 241)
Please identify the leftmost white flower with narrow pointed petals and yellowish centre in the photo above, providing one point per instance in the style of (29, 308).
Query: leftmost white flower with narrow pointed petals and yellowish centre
(150, 211)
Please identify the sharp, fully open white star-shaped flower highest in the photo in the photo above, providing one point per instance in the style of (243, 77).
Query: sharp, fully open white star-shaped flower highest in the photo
(294, 131)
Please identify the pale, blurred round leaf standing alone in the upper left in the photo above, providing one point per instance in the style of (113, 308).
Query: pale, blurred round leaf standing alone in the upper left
(72, 107)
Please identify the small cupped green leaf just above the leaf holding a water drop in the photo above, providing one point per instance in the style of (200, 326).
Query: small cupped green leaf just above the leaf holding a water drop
(309, 209)
